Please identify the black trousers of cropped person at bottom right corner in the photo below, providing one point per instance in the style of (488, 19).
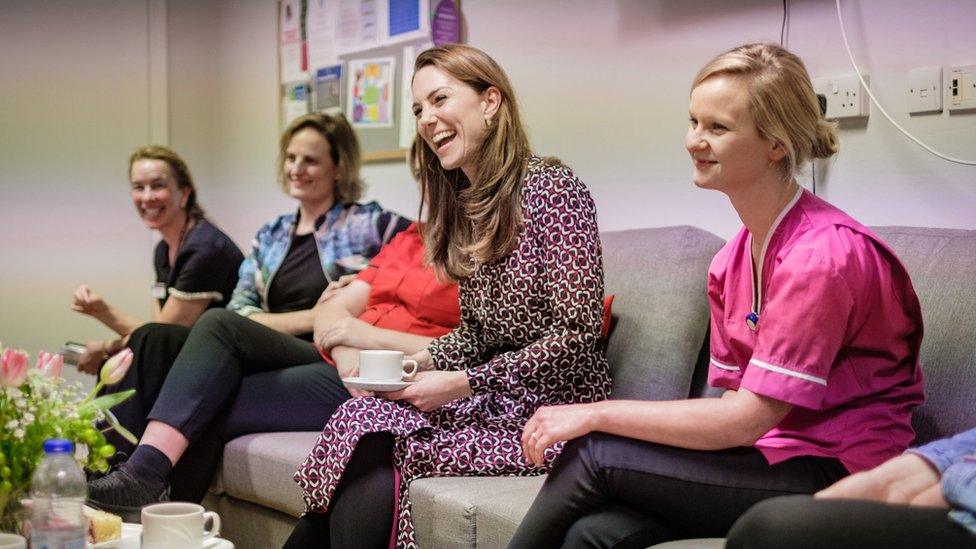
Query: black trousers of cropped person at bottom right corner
(801, 522)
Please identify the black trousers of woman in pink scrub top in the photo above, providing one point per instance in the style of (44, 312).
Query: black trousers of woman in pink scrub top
(609, 491)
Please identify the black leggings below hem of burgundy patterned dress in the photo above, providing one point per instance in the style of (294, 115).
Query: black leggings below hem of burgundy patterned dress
(361, 511)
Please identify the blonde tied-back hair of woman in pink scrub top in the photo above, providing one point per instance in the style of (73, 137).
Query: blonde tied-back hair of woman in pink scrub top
(781, 100)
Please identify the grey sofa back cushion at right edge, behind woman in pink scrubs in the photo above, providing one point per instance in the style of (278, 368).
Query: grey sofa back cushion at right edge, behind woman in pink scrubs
(942, 264)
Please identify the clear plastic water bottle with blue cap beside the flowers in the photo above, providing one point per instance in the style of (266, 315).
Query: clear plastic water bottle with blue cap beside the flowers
(58, 489)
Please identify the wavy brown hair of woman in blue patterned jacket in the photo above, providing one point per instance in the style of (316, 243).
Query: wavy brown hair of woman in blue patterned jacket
(344, 149)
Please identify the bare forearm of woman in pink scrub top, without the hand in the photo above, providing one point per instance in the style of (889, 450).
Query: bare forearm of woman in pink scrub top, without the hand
(698, 424)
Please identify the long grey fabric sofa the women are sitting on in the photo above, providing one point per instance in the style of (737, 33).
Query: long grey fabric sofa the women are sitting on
(657, 350)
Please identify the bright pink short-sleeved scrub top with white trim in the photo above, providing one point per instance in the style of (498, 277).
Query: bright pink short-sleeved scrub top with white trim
(834, 329)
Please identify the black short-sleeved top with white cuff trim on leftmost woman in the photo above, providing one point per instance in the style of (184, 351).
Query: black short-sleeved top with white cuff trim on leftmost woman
(205, 267)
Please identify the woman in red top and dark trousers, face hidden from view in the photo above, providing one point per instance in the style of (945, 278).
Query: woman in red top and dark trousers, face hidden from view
(396, 303)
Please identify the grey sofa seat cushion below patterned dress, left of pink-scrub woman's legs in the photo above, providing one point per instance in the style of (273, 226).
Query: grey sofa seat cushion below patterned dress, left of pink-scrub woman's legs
(470, 511)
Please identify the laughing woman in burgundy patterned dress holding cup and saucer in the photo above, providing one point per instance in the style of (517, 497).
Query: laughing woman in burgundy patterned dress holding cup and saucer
(519, 233)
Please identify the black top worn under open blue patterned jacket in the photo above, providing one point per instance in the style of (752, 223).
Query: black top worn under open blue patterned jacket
(299, 281)
